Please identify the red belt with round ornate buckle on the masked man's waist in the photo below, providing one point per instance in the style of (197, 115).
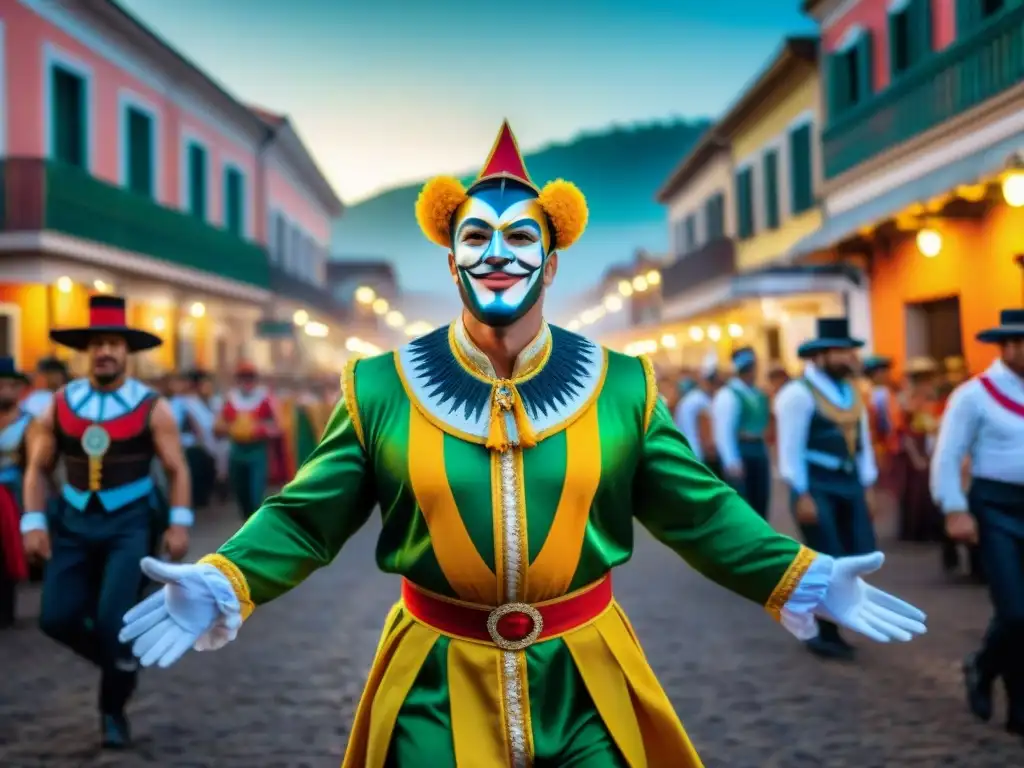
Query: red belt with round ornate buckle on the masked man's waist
(513, 626)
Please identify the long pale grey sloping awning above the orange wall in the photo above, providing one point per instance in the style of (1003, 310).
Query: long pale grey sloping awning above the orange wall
(967, 170)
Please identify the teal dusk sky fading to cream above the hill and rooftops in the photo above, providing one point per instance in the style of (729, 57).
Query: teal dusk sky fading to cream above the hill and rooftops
(392, 92)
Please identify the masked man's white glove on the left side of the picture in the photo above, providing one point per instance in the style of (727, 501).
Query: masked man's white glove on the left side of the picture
(197, 609)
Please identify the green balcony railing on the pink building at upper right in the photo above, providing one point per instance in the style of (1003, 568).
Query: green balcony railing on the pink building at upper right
(951, 82)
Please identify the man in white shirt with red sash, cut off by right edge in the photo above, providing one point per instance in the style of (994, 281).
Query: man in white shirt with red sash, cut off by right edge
(985, 421)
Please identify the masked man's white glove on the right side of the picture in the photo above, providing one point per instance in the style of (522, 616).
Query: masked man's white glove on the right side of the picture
(856, 605)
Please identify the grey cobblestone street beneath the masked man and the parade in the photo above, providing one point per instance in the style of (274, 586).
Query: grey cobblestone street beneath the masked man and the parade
(751, 698)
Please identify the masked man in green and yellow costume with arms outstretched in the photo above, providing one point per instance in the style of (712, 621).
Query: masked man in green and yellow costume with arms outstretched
(509, 458)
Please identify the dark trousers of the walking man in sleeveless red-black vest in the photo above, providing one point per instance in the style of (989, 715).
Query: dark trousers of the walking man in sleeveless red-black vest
(93, 580)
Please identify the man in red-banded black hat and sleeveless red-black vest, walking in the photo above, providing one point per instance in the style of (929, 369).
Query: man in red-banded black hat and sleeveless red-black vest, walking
(109, 428)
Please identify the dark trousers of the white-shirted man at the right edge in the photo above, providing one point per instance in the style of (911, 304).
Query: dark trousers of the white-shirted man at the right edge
(999, 508)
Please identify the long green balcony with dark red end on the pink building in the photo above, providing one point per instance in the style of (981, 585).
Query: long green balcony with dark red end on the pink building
(38, 196)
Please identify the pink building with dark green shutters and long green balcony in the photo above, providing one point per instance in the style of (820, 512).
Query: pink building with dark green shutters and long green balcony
(126, 168)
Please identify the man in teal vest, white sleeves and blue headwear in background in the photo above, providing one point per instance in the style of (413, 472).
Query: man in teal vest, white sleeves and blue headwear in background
(740, 416)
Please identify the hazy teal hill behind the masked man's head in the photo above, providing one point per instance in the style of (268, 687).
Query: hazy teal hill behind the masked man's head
(619, 170)
